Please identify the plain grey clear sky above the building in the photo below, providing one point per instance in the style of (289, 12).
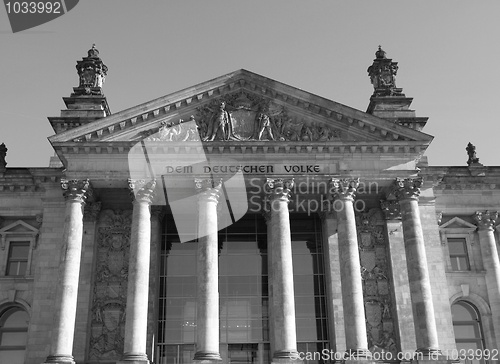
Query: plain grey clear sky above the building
(448, 54)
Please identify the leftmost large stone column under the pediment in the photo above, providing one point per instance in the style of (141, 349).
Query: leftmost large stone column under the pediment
(75, 193)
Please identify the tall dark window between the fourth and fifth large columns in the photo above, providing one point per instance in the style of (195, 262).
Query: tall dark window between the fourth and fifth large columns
(309, 285)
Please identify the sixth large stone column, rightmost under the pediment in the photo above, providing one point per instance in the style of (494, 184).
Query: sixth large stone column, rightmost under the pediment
(407, 192)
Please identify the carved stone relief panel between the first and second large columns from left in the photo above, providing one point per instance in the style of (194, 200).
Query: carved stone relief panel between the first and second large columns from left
(110, 285)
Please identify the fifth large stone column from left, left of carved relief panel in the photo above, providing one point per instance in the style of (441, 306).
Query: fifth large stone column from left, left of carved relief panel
(350, 269)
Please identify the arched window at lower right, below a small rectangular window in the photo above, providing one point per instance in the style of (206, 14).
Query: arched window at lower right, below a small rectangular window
(467, 327)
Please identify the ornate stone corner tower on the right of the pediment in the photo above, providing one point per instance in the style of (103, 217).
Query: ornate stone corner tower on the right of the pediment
(388, 101)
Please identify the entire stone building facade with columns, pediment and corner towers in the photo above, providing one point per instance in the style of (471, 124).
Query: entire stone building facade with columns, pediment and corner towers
(91, 274)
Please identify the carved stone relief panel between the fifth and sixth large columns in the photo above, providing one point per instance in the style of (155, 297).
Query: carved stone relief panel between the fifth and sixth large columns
(375, 273)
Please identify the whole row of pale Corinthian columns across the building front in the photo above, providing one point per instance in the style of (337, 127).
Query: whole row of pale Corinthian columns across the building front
(280, 273)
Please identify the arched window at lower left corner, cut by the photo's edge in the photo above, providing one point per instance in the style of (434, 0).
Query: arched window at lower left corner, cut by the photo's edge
(13, 335)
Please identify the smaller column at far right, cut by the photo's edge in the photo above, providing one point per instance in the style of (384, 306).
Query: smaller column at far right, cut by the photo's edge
(486, 221)
